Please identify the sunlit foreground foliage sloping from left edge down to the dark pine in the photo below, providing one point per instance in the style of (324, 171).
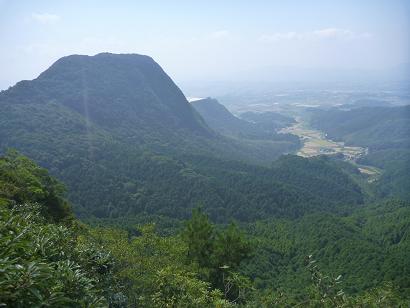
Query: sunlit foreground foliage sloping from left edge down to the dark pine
(45, 262)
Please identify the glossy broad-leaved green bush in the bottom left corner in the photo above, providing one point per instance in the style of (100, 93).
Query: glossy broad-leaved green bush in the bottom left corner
(42, 264)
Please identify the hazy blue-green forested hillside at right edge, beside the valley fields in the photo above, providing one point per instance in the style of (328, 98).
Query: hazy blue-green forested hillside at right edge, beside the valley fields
(385, 131)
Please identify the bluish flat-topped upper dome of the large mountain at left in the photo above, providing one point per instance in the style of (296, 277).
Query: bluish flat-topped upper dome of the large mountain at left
(127, 91)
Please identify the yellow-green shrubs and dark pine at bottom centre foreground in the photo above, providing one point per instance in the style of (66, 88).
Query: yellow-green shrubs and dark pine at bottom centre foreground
(179, 270)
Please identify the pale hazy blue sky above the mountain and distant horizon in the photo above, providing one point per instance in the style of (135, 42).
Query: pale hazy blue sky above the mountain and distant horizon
(205, 39)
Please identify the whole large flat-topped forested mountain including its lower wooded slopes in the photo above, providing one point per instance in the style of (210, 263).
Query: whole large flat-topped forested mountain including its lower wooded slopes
(121, 135)
